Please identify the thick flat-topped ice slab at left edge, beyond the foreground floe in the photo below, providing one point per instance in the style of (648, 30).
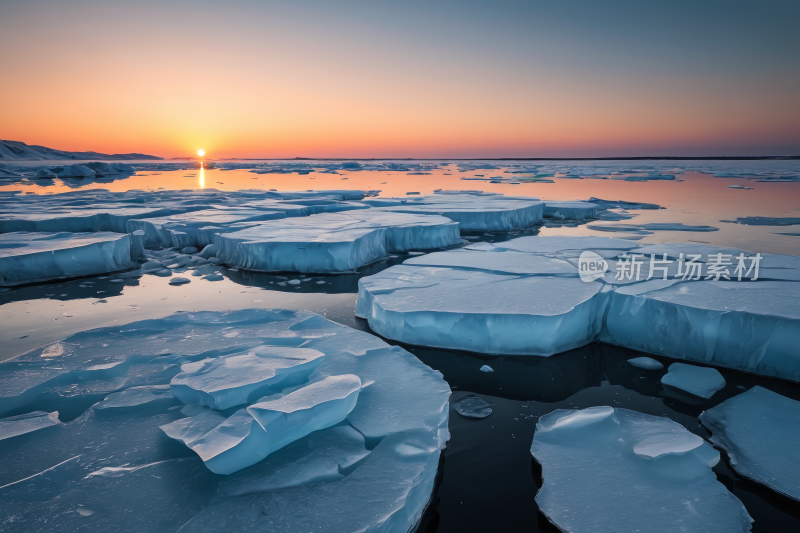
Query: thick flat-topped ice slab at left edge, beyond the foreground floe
(35, 257)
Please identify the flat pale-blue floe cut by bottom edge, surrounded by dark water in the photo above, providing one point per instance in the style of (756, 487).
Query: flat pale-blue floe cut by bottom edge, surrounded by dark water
(629, 471)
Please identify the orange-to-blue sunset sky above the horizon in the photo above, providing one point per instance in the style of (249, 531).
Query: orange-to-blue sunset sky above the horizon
(432, 79)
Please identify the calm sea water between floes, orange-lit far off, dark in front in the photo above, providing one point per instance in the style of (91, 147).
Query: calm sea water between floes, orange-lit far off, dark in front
(488, 479)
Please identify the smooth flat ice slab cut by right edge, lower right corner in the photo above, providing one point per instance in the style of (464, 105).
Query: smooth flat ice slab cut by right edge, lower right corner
(758, 430)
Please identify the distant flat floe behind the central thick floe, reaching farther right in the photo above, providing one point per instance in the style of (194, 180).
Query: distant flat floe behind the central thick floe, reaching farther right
(472, 212)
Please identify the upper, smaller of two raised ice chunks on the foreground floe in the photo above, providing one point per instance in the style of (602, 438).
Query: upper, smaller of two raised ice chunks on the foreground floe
(231, 380)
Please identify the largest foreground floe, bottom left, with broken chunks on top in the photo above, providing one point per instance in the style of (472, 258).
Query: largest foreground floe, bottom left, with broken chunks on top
(293, 423)
